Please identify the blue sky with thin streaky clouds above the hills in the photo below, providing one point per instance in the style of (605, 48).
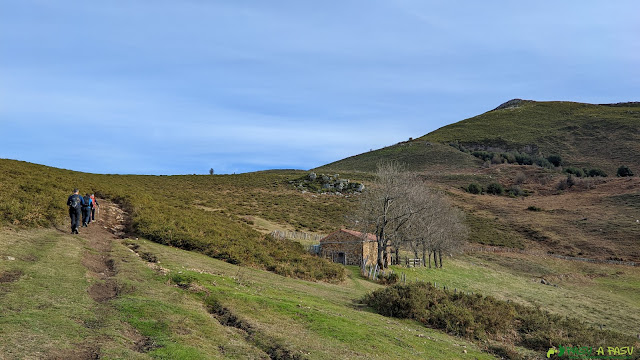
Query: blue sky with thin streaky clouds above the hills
(178, 87)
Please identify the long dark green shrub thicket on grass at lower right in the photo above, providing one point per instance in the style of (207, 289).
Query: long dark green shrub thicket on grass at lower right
(486, 318)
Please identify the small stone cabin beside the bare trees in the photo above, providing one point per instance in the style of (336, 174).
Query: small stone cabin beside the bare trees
(349, 247)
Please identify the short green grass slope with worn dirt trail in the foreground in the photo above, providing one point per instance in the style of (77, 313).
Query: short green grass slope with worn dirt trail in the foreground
(163, 310)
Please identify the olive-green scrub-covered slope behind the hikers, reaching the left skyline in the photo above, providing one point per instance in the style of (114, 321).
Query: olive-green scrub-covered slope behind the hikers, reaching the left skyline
(200, 213)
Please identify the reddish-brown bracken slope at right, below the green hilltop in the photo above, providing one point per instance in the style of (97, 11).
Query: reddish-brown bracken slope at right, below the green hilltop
(596, 223)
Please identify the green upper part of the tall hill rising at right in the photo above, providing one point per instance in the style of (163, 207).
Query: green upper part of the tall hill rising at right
(584, 135)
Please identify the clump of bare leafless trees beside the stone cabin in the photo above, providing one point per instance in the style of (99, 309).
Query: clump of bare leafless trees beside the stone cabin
(402, 212)
